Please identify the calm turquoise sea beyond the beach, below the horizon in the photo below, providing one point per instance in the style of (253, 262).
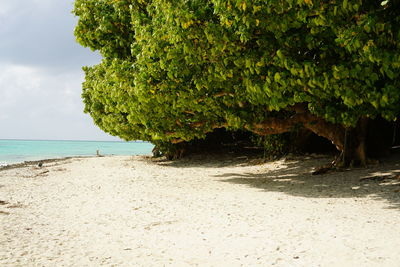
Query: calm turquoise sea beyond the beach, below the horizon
(18, 151)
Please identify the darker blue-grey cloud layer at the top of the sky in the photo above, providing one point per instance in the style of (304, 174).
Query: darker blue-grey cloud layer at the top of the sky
(40, 33)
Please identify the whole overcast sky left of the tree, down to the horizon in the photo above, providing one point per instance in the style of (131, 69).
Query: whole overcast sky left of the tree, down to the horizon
(41, 73)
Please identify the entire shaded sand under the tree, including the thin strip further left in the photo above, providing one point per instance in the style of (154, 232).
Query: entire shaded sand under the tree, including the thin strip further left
(293, 176)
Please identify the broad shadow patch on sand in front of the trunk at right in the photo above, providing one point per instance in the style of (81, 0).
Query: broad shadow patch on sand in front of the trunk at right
(294, 177)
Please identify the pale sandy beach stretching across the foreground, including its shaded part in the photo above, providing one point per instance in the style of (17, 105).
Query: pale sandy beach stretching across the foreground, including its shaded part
(134, 211)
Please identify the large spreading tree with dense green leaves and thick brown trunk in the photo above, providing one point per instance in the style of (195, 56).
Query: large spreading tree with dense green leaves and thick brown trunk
(174, 71)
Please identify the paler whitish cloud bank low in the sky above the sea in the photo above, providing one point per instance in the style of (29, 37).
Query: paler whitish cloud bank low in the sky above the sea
(35, 104)
